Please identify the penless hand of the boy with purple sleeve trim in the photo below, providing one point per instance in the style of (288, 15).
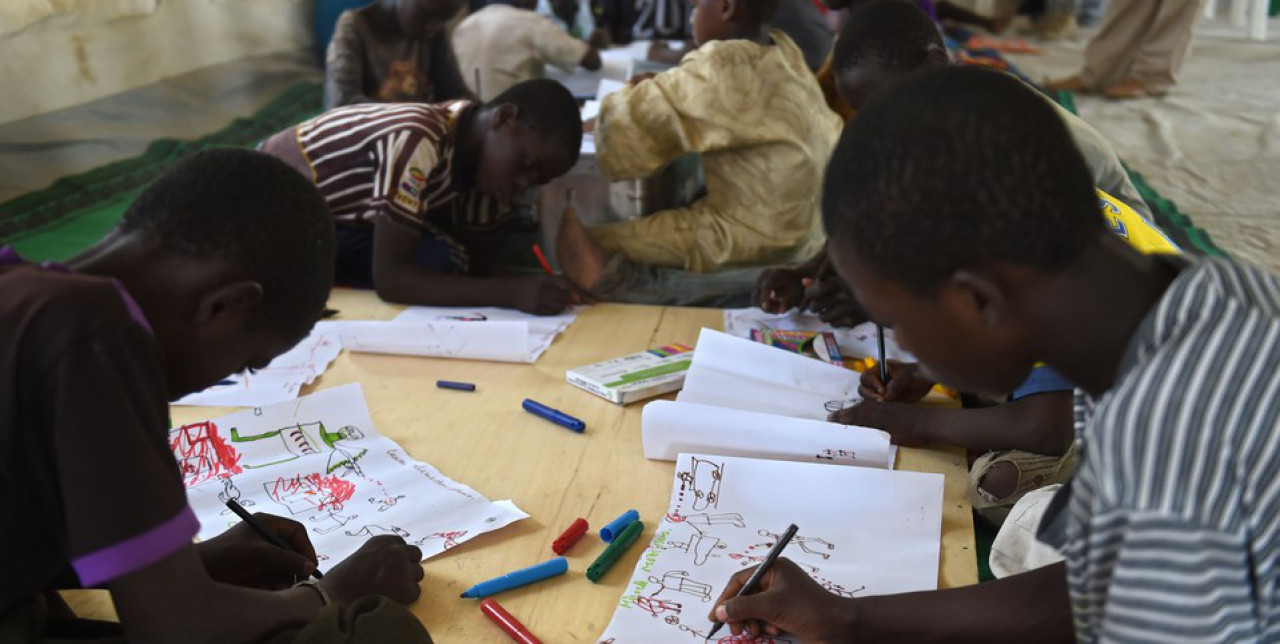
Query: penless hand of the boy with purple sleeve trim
(383, 567)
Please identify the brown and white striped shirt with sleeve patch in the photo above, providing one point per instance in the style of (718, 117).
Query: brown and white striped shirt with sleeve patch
(396, 159)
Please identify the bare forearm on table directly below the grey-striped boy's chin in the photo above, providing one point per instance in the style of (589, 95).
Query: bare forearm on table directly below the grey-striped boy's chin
(1040, 424)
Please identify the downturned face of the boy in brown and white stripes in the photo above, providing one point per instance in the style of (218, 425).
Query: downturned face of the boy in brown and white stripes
(515, 159)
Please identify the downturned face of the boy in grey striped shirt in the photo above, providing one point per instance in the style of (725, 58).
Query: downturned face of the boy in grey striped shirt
(959, 339)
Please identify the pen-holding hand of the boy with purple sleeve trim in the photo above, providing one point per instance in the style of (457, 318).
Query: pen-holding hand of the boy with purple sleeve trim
(243, 558)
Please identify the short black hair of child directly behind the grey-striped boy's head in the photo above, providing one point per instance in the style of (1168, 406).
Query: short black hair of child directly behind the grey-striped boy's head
(893, 34)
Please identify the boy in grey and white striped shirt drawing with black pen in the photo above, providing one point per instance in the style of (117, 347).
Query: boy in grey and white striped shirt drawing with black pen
(961, 213)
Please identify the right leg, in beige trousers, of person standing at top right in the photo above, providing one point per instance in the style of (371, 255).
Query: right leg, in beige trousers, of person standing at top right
(1167, 45)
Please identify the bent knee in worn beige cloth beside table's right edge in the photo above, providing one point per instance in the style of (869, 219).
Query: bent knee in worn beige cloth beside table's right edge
(999, 479)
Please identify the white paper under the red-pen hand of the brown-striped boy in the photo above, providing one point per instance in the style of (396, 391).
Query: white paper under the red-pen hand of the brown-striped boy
(486, 334)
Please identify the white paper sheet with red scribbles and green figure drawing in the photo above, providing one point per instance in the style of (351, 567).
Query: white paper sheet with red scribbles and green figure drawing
(319, 462)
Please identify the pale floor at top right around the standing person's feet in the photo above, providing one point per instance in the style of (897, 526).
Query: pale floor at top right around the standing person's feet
(1213, 147)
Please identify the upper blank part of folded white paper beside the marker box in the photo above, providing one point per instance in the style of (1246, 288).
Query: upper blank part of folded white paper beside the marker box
(740, 374)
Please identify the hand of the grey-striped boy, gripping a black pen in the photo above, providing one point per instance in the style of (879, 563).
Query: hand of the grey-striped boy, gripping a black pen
(787, 601)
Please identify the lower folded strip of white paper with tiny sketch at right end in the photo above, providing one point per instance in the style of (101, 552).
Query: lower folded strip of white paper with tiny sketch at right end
(671, 428)
